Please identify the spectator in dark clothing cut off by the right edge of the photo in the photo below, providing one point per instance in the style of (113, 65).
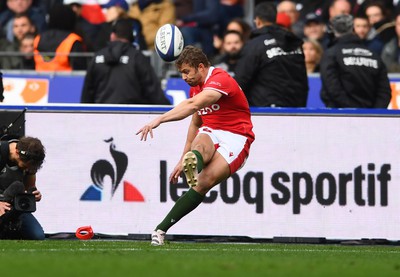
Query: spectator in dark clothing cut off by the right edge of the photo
(391, 50)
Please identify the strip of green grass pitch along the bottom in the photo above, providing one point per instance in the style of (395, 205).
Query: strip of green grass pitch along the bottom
(137, 258)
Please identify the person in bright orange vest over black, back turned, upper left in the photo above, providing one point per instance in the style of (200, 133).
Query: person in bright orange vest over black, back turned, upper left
(61, 40)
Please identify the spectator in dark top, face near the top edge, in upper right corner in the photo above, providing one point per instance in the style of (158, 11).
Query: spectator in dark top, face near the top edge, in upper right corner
(382, 25)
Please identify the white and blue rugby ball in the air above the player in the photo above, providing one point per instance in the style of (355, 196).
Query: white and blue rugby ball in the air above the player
(169, 42)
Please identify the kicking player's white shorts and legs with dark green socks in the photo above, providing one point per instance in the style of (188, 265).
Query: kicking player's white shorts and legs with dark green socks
(219, 164)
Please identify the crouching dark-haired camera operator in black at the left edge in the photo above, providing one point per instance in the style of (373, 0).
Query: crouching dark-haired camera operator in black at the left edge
(19, 161)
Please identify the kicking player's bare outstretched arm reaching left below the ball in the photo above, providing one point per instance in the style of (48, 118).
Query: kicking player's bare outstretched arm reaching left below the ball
(182, 110)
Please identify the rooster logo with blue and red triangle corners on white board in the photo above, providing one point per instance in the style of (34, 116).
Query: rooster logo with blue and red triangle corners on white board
(115, 171)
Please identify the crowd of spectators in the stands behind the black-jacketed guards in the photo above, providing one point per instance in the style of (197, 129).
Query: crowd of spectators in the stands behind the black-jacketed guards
(55, 35)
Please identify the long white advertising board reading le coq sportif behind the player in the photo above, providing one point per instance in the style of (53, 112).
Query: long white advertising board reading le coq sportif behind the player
(327, 176)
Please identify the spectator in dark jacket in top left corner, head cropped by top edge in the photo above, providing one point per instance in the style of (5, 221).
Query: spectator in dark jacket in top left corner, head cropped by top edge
(37, 16)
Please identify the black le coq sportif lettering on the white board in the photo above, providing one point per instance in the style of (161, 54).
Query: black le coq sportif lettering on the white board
(366, 186)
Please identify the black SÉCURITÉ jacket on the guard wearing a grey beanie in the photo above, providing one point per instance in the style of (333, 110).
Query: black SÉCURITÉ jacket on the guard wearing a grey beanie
(353, 76)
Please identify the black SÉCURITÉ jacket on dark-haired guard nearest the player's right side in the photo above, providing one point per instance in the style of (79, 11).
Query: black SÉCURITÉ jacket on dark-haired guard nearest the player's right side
(271, 70)
